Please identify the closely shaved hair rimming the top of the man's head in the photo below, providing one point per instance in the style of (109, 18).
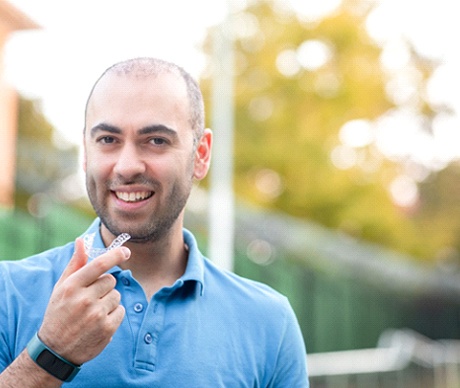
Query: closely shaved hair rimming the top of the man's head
(154, 67)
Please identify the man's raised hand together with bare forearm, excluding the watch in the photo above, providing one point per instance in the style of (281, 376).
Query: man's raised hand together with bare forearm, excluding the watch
(81, 294)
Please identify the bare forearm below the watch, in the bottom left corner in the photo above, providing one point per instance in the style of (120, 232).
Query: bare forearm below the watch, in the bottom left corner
(24, 372)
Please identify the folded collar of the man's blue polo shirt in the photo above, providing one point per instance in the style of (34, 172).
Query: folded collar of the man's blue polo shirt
(194, 270)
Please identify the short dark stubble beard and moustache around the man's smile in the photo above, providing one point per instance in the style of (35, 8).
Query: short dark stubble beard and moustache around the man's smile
(152, 228)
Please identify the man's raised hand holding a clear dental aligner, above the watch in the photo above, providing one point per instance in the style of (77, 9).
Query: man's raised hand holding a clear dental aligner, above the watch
(84, 310)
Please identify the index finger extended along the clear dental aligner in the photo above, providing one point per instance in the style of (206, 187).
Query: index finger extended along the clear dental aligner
(93, 270)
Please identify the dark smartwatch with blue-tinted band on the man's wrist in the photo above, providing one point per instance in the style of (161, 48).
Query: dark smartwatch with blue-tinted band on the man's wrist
(50, 361)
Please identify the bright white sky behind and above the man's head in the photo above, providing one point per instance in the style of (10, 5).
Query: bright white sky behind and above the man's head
(59, 63)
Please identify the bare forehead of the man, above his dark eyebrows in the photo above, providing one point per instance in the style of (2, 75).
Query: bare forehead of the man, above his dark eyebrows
(138, 96)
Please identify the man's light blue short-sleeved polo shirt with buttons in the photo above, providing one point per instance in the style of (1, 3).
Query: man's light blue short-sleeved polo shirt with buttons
(211, 328)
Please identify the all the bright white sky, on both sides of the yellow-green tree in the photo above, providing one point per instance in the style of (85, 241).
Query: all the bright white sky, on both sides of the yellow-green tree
(59, 63)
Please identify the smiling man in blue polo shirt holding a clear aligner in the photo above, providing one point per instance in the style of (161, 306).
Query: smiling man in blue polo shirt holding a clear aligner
(155, 312)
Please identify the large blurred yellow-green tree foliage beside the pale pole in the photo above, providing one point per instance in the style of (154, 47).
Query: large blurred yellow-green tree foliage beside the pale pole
(288, 114)
